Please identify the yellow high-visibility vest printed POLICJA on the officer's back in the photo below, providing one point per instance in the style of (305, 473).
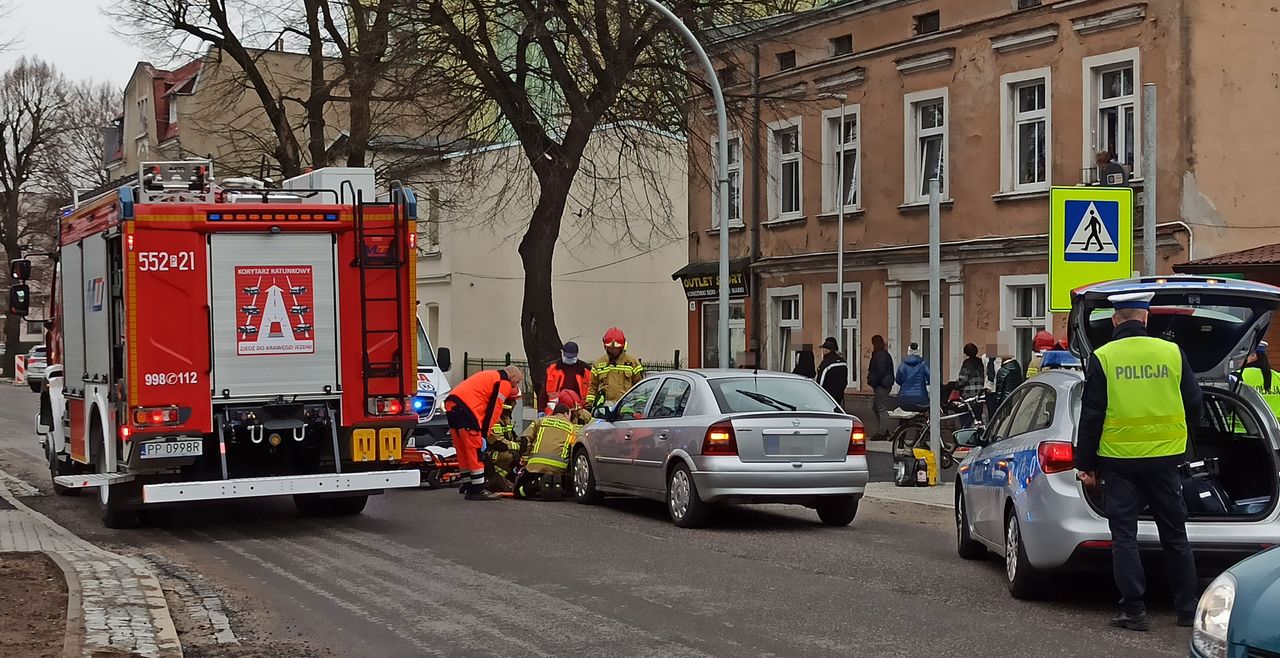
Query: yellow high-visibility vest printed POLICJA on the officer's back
(1145, 404)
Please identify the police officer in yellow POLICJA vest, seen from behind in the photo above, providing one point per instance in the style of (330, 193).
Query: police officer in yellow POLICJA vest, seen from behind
(1139, 396)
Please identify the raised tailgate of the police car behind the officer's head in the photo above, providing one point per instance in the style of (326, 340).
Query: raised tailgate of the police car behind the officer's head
(1217, 322)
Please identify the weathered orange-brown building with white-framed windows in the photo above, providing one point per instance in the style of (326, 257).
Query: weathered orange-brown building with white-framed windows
(1002, 99)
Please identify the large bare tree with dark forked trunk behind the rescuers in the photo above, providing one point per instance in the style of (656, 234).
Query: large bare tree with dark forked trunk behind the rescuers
(557, 71)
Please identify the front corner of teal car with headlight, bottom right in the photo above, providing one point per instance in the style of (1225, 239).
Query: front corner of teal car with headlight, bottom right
(1240, 614)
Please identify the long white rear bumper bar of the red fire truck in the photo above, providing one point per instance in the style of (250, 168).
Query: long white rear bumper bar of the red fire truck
(354, 483)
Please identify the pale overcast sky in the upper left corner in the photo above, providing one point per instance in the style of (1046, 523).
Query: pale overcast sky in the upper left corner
(74, 35)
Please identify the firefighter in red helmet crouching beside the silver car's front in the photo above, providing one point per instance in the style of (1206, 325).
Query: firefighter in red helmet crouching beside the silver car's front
(550, 440)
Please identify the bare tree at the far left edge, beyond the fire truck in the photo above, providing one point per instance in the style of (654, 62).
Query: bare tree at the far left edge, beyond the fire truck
(34, 118)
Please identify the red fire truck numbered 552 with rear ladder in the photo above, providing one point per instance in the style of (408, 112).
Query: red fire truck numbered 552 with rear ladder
(216, 342)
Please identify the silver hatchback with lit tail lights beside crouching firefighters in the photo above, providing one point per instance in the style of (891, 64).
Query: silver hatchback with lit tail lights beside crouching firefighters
(694, 438)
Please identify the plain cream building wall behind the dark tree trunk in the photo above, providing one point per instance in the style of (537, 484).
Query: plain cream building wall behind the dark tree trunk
(620, 241)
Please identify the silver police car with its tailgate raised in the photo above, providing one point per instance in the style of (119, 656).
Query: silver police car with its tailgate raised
(1017, 492)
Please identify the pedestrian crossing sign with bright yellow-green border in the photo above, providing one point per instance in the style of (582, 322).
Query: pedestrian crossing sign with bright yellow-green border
(1090, 241)
